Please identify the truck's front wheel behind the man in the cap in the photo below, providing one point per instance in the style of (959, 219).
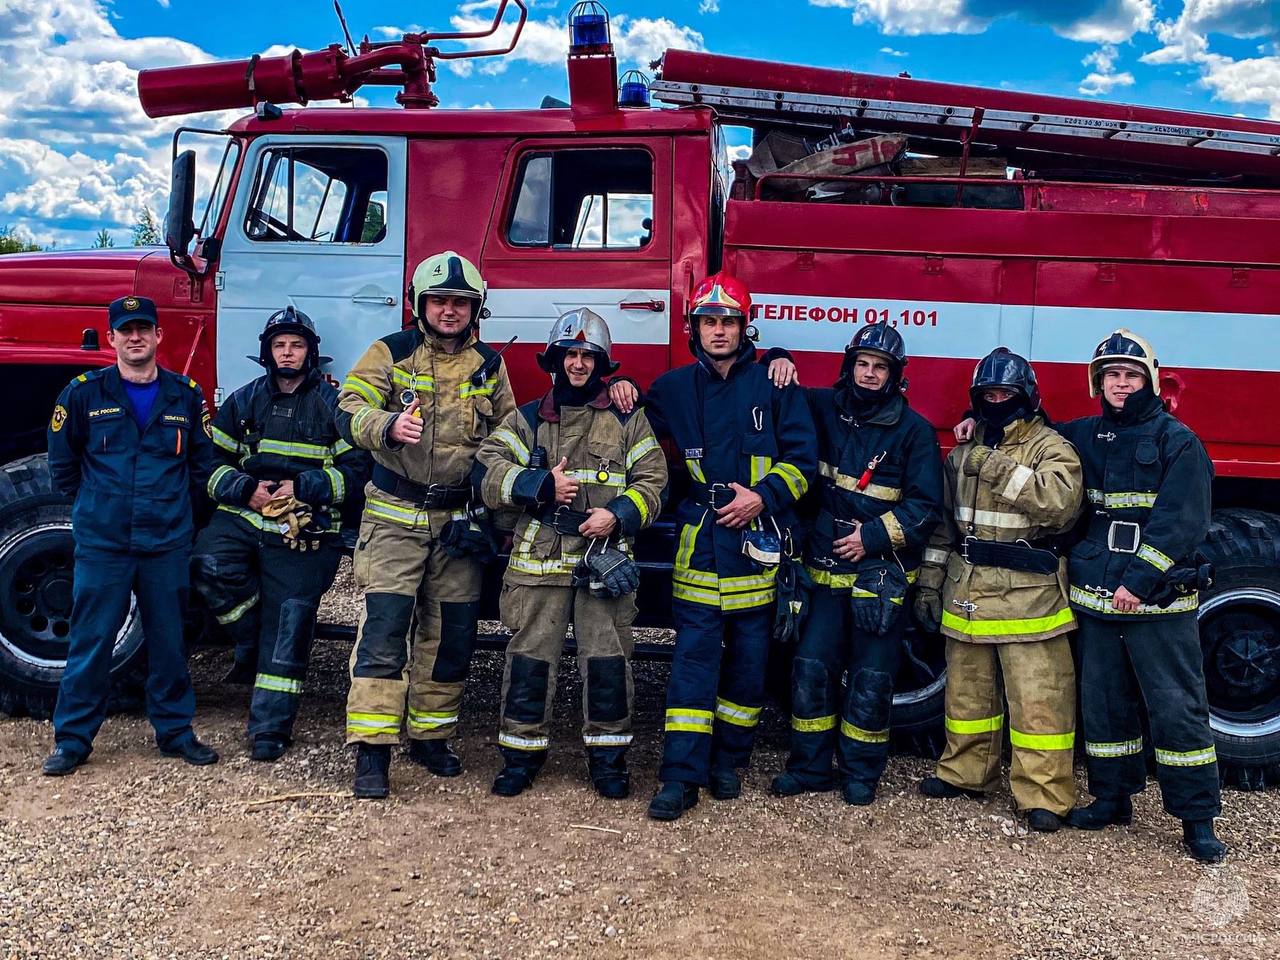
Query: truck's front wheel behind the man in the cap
(36, 564)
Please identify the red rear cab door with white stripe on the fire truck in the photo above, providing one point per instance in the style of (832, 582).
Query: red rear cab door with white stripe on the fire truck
(586, 227)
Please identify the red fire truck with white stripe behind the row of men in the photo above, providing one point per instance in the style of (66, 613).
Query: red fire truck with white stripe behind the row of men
(1002, 218)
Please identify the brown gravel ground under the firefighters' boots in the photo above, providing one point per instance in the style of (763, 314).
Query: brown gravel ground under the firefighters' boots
(144, 857)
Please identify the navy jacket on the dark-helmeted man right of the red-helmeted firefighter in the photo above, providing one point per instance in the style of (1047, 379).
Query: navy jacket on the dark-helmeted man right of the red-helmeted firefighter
(900, 505)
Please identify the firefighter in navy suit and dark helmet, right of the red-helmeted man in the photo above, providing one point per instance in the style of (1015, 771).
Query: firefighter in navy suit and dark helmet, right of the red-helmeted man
(880, 497)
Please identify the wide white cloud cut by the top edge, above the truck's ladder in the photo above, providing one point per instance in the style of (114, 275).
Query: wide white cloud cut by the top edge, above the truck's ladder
(1089, 21)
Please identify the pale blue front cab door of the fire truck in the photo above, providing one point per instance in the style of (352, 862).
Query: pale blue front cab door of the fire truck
(319, 225)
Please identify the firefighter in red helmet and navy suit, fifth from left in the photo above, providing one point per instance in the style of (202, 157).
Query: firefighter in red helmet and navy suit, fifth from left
(751, 452)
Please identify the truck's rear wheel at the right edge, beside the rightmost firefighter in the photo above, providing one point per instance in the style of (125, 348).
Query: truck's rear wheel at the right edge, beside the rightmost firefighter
(1240, 624)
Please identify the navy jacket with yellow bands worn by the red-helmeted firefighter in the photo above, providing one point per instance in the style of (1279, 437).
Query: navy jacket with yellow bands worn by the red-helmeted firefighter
(740, 429)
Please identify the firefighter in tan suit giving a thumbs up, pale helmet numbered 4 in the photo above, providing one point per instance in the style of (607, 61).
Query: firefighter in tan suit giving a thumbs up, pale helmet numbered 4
(422, 401)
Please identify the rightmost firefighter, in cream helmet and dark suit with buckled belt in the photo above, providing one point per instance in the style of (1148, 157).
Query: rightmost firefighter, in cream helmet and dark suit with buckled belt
(1135, 579)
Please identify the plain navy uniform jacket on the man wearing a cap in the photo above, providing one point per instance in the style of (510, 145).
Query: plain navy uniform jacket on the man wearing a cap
(132, 488)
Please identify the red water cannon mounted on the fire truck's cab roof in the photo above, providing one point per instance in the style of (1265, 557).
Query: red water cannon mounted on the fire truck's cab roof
(333, 74)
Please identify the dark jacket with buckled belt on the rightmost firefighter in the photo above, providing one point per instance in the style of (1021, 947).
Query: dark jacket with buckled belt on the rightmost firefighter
(1142, 468)
